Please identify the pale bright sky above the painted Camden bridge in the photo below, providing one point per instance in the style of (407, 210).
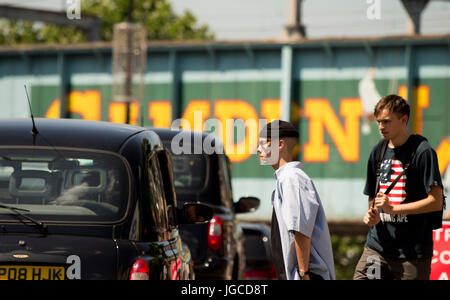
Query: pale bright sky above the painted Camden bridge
(265, 19)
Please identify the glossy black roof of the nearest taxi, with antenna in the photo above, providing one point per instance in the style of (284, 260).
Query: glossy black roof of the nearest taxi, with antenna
(66, 133)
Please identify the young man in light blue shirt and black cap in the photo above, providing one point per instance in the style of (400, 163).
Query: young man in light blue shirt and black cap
(301, 245)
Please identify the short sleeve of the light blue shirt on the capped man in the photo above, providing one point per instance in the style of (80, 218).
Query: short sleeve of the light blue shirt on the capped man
(300, 205)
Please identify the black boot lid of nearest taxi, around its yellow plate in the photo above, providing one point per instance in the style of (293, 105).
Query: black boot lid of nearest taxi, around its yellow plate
(95, 257)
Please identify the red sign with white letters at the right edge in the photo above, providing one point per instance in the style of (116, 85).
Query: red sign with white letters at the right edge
(440, 265)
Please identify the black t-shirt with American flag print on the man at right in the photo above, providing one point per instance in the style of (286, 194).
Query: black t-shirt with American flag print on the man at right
(404, 236)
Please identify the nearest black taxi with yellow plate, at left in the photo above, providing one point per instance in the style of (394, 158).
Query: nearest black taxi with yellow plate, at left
(89, 200)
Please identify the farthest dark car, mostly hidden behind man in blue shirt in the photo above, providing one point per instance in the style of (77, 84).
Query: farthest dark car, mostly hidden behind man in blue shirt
(258, 252)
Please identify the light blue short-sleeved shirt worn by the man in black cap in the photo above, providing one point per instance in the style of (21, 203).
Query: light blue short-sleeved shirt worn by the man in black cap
(298, 208)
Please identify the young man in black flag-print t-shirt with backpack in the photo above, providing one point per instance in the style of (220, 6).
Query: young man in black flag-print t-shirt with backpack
(399, 243)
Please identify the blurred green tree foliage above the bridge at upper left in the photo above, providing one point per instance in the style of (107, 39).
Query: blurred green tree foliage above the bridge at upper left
(157, 16)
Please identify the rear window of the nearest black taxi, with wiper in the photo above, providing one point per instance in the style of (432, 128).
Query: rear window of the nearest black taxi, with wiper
(63, 185)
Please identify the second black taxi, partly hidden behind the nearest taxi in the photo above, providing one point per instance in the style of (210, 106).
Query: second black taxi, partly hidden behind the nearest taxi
(204, 175)
